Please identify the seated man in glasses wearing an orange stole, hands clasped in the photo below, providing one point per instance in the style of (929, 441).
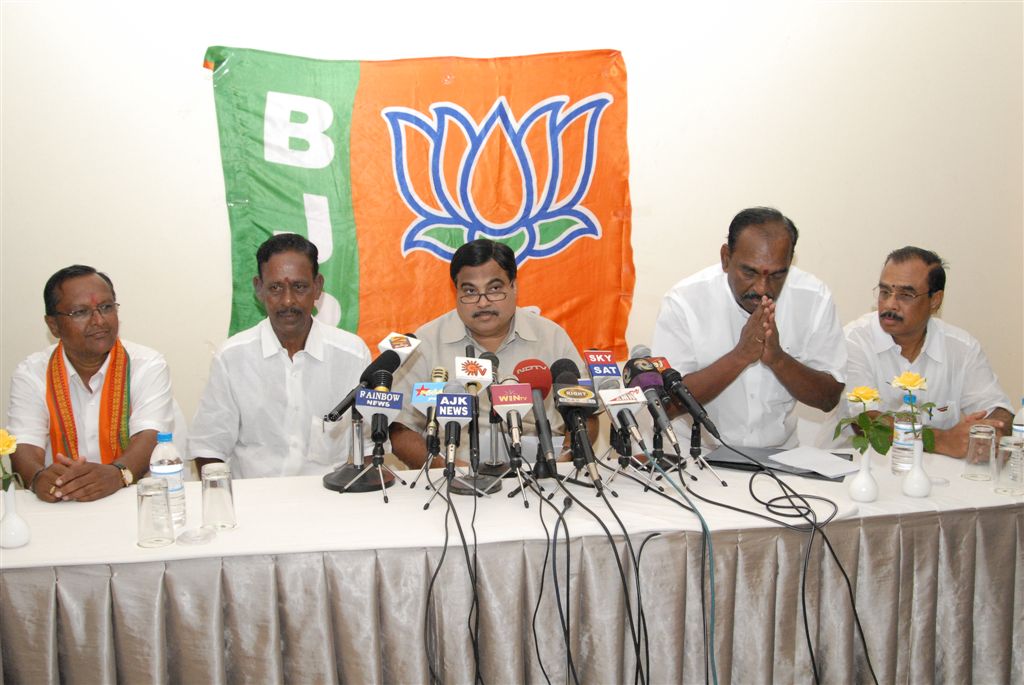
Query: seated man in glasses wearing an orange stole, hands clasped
(87, 412)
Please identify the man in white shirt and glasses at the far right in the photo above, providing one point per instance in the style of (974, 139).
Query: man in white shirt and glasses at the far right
(904, 335)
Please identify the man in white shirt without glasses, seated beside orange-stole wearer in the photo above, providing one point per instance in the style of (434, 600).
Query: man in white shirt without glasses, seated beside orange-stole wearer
(270, 387)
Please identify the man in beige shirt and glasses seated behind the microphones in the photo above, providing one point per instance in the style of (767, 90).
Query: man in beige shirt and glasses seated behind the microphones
(486, 316)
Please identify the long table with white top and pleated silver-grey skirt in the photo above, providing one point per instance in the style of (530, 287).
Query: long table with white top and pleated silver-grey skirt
(319, 587)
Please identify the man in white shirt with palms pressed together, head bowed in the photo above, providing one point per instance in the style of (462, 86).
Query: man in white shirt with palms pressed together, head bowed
(755, 335)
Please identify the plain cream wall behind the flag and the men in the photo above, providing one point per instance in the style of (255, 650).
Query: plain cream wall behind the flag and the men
(873, 125)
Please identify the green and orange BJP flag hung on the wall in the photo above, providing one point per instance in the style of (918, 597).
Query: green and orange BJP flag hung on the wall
(390, 166)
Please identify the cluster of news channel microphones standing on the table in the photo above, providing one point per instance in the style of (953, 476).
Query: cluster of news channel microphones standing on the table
(450, 403)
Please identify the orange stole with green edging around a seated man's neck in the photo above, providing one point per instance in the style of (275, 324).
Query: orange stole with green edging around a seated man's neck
(115, 406)
